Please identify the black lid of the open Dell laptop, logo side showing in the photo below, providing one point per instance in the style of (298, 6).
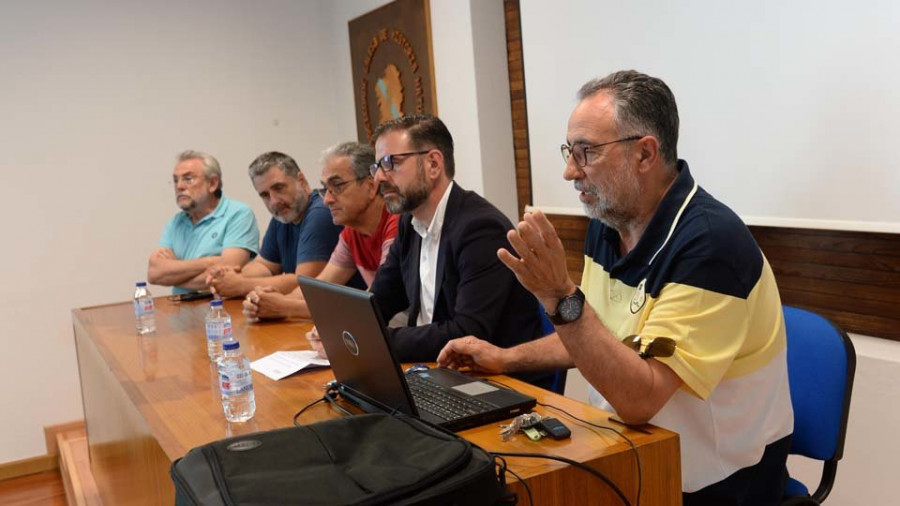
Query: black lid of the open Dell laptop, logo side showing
(351, 330)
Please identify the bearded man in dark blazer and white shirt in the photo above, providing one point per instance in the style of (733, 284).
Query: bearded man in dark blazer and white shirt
(443, 266)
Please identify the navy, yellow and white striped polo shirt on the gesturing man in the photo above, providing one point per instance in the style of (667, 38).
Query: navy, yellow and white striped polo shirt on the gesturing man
(697, 276)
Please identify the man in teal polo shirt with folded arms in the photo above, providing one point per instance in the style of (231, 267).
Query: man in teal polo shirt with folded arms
(210, 230)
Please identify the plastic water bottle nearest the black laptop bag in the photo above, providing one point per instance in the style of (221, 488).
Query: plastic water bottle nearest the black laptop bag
(236, 384)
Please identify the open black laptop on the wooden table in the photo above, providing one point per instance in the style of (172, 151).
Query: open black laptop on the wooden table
(369, 375)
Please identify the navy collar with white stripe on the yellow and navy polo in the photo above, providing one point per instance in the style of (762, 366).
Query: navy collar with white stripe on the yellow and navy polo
(658, 229)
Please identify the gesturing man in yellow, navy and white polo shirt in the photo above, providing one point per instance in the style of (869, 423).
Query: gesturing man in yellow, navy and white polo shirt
(665, 263)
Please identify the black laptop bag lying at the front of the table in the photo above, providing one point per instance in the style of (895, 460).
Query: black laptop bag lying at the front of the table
(370, 459)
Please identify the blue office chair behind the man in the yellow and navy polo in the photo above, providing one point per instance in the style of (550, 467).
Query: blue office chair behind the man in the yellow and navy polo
(821, 365)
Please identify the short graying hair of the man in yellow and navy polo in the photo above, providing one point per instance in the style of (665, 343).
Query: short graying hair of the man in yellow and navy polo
(644, 105)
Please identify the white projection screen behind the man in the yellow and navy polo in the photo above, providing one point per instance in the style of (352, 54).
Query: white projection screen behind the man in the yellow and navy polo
(789, 109)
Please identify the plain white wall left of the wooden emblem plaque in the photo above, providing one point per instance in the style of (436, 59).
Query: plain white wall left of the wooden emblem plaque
(97, 98)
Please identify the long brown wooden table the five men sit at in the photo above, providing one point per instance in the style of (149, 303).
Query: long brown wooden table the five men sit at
(149, 399)
